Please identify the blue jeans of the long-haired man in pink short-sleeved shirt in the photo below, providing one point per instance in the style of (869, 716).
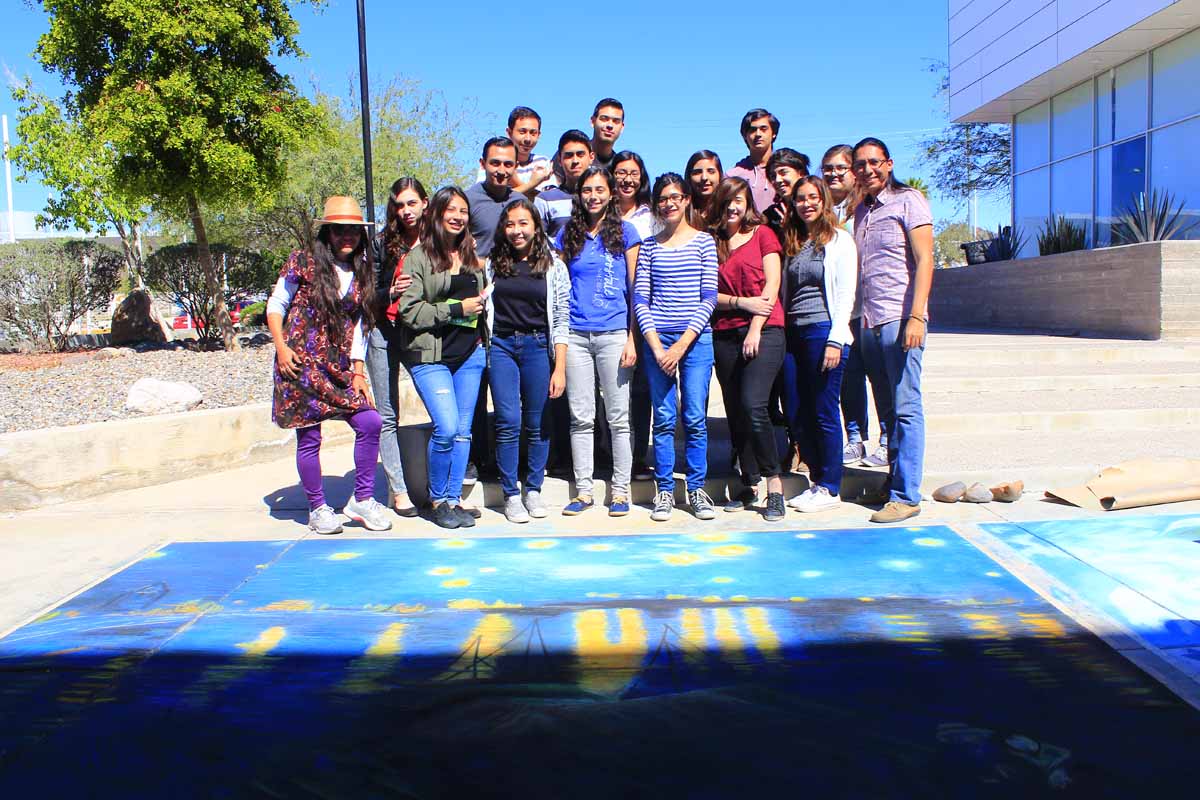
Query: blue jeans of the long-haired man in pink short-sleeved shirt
(896, 378)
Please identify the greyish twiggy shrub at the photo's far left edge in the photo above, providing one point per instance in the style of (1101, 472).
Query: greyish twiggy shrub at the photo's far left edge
(47, 286)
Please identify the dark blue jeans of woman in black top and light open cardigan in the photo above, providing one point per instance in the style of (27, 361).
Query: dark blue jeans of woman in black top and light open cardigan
(519, 375)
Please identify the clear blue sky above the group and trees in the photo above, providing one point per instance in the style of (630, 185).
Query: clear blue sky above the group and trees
(686, 81)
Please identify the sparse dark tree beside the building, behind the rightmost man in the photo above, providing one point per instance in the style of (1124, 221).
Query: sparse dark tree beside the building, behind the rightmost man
(967, 158)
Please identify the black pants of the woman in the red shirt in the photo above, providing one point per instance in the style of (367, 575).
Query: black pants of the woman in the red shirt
(746, 387)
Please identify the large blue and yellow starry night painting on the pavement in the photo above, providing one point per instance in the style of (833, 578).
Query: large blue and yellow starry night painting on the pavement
(878, 664)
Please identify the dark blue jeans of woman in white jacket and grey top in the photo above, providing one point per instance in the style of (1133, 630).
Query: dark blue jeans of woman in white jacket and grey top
(813, 398)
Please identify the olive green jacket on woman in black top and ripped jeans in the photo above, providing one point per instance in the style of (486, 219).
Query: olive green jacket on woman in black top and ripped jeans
(424, 311)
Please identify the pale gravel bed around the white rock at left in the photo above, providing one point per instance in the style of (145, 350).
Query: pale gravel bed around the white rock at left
(76, 393)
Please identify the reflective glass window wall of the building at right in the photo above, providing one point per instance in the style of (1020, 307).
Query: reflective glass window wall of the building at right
(1090, 152)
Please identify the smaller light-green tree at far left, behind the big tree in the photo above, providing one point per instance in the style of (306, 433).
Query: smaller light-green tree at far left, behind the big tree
(80, 169)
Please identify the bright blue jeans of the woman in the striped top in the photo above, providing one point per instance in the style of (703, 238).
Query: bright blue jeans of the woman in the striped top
(694, 374)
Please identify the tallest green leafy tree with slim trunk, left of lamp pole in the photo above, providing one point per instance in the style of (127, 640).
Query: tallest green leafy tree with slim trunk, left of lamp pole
(189, 99)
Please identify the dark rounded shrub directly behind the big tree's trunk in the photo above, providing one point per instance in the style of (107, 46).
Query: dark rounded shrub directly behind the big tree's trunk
(177, 270)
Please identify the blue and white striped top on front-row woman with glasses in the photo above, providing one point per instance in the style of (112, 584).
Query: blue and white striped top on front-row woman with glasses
(676, 287)
